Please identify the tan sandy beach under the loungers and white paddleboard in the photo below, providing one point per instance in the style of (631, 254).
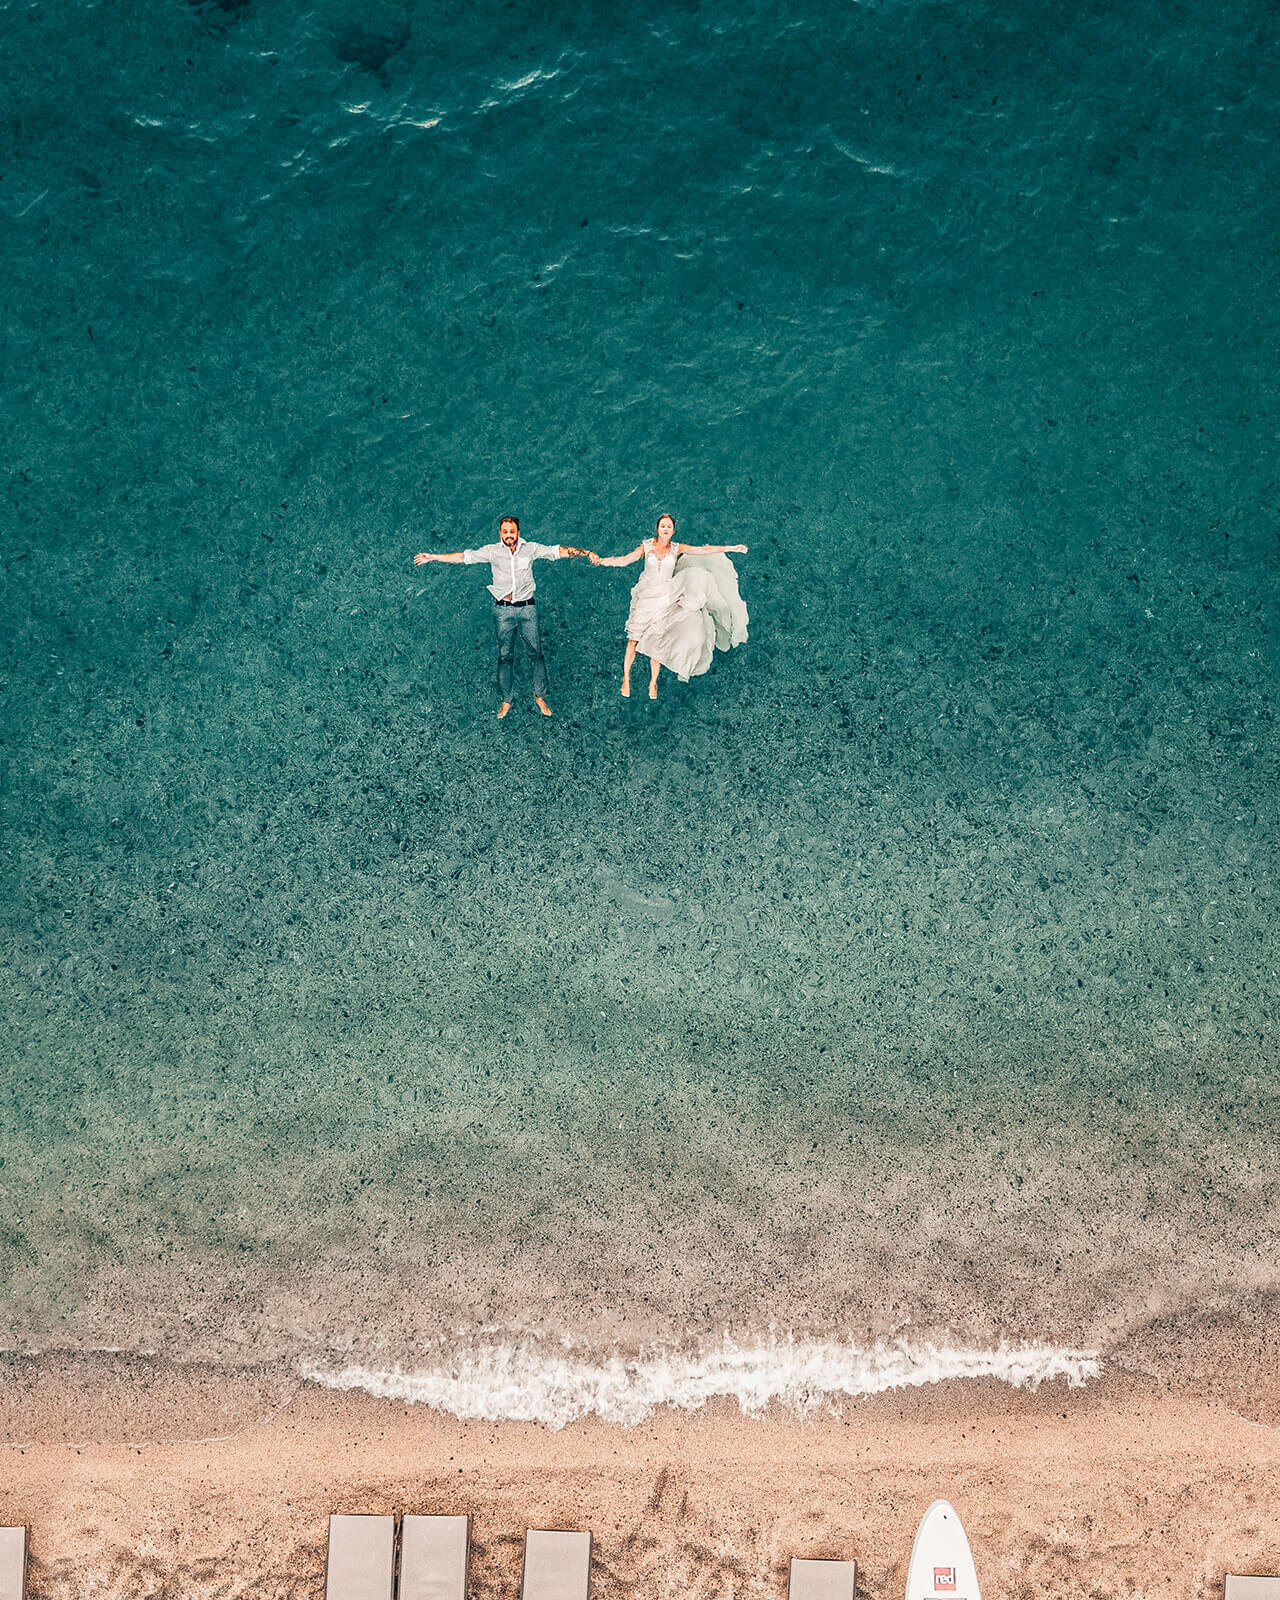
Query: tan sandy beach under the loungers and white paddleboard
(1129, 1487)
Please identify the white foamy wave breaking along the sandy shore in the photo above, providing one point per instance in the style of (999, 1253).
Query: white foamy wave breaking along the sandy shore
(530, 1385)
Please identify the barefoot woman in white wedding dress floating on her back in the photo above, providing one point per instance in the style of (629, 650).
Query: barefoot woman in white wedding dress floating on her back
(686, 606)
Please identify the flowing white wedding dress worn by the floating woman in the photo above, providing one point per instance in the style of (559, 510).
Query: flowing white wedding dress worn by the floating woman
(684, 610)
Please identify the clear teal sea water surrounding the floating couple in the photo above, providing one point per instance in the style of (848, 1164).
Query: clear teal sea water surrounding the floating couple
(910, 978)
